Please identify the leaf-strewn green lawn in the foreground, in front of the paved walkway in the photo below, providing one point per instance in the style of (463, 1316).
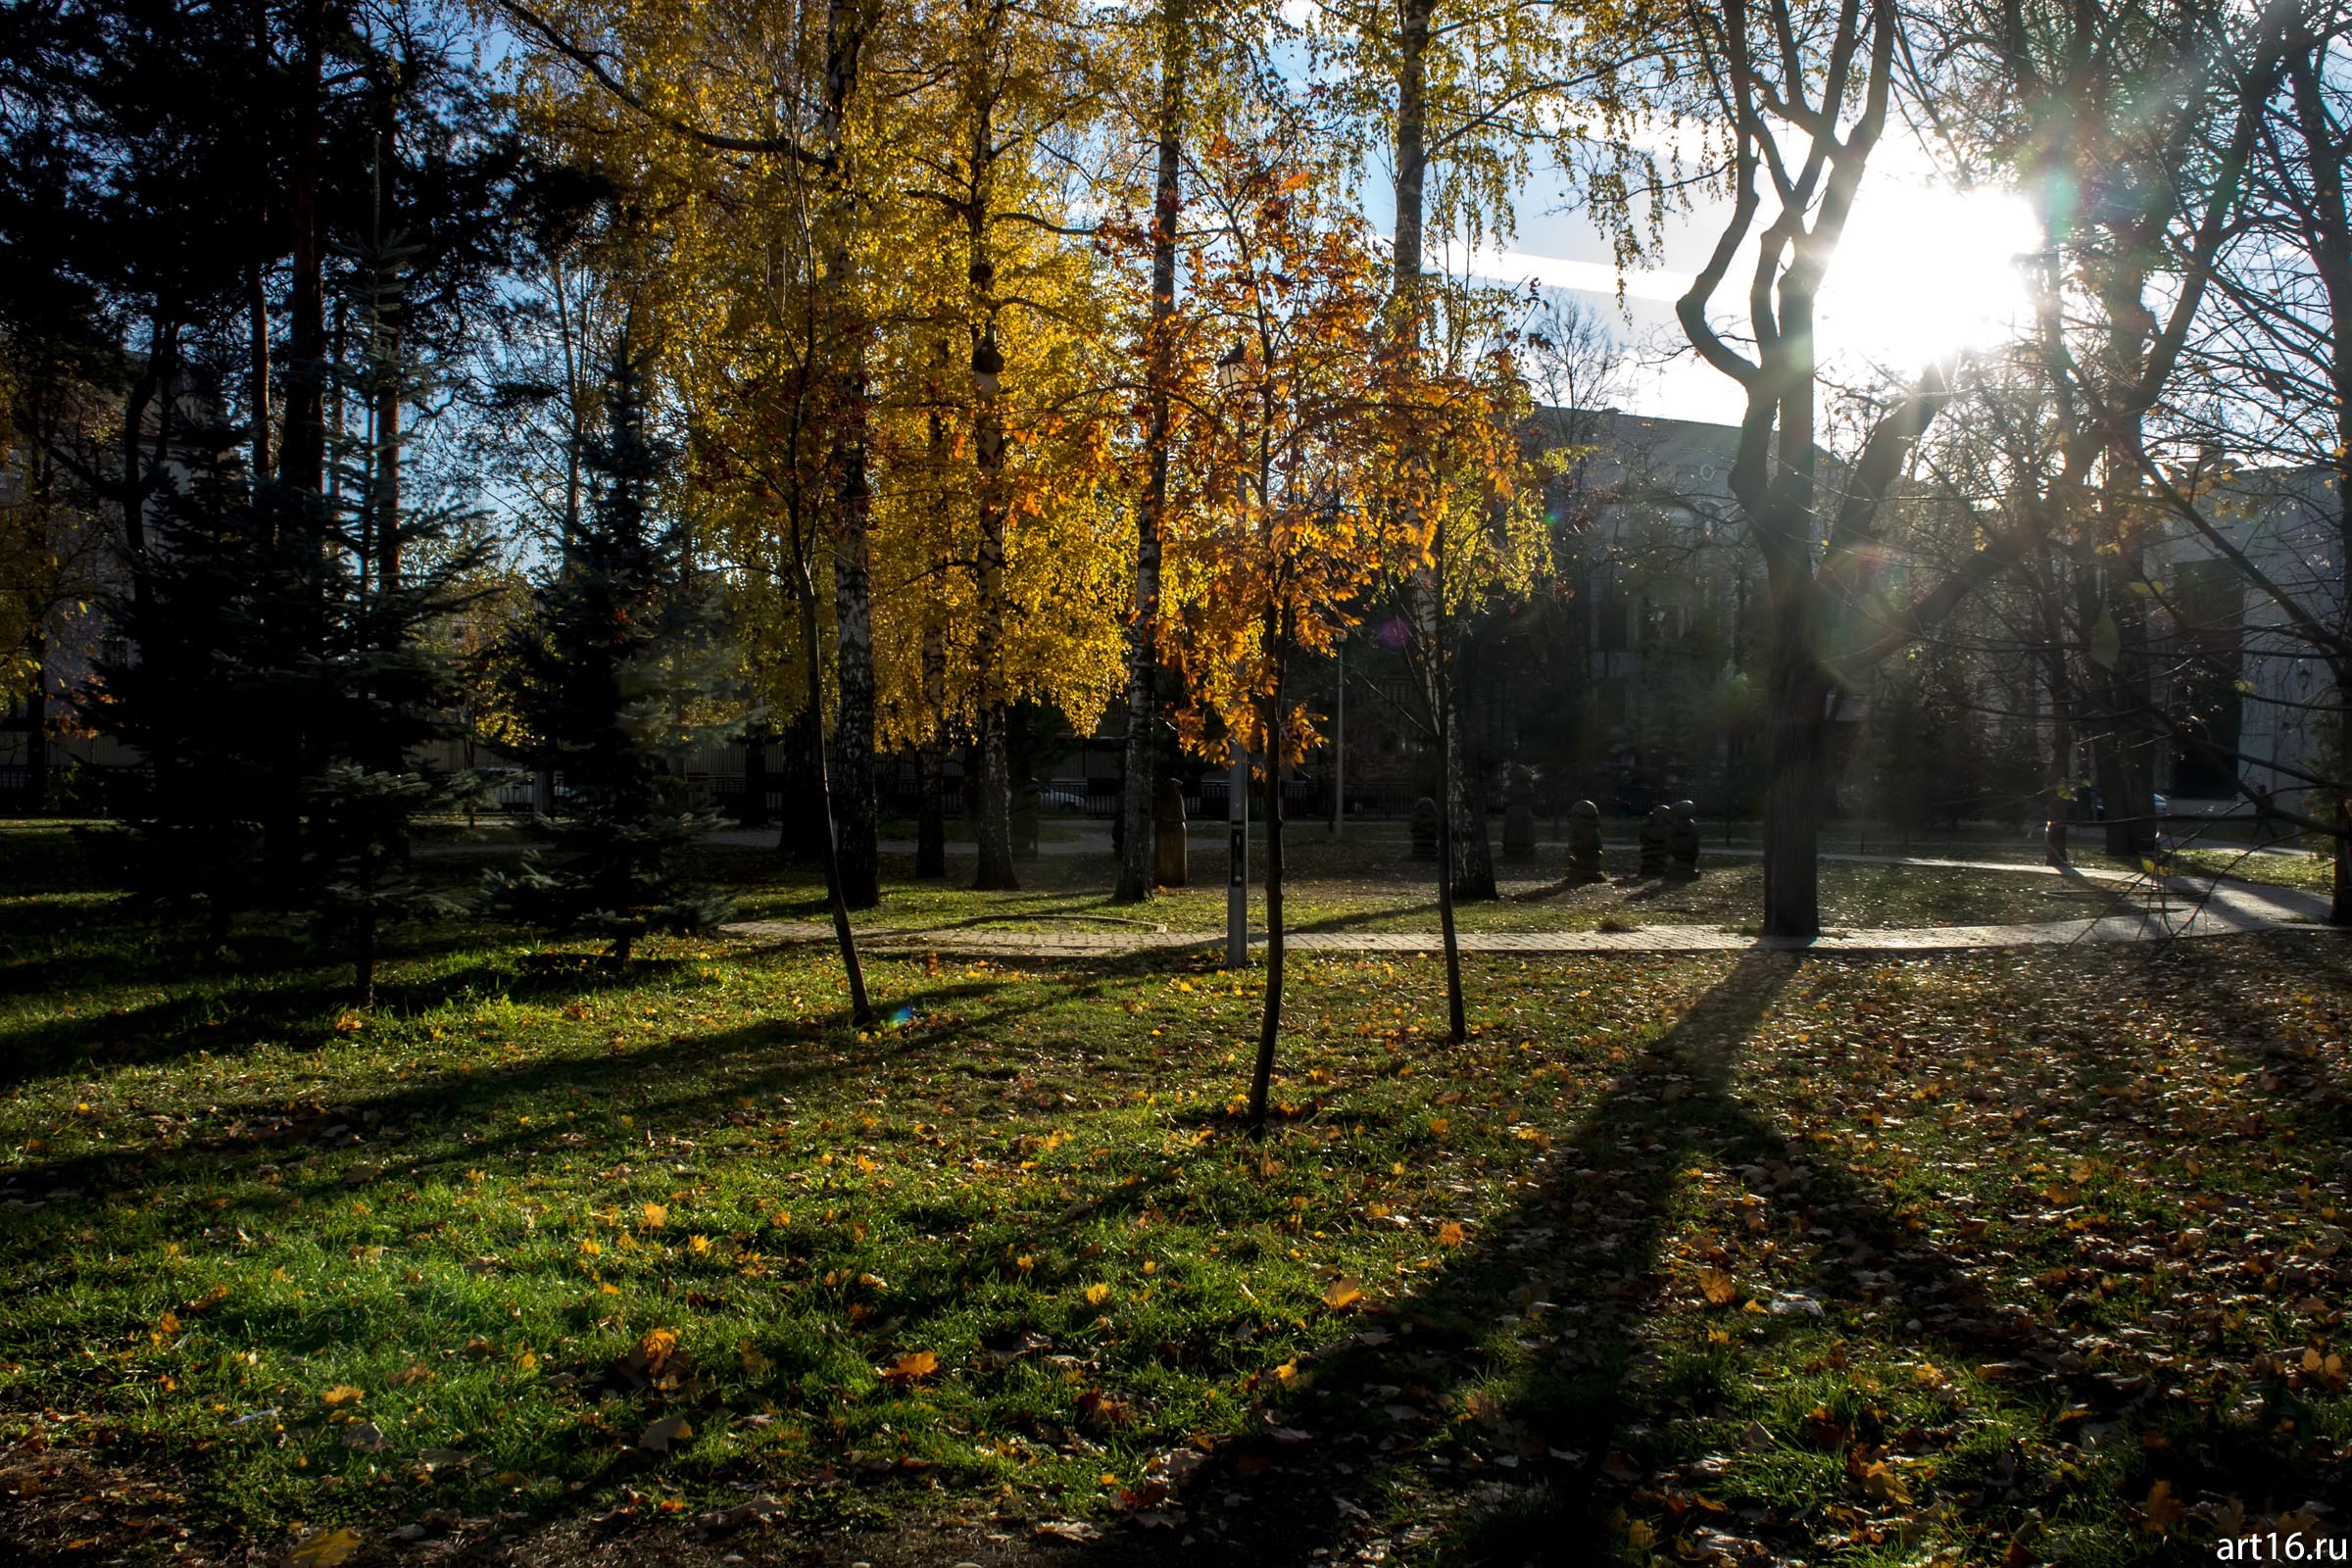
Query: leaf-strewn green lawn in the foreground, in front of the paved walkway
(2033, 1257)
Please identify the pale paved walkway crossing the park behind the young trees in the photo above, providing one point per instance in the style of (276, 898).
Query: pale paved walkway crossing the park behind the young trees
(2184, 909)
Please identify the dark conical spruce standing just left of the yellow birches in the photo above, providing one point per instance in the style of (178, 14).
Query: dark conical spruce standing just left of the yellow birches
(617, 671)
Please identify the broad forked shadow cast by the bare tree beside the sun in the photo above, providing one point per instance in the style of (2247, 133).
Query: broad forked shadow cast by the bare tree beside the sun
(1586, 1242)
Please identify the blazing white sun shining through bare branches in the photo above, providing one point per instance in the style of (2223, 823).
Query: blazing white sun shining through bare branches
(1927, 272)
